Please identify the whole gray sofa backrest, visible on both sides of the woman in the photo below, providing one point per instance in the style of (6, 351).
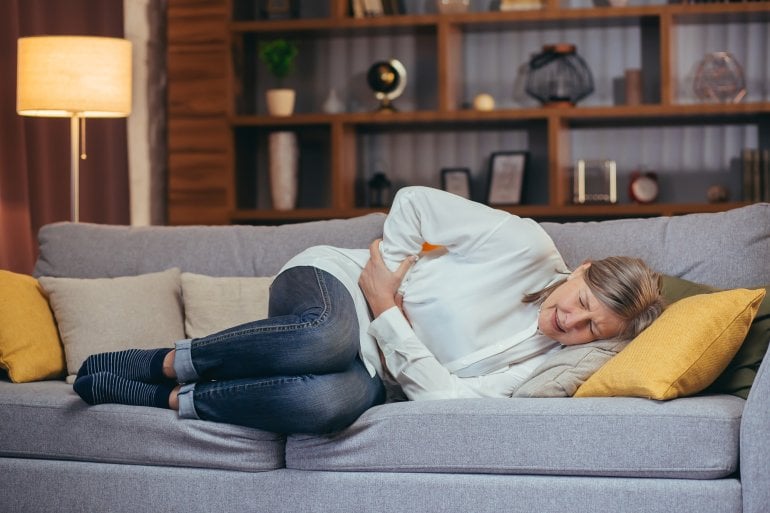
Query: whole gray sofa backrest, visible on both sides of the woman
(727, 249)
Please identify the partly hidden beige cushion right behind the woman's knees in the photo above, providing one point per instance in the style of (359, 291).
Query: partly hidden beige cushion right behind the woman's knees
(213, 304)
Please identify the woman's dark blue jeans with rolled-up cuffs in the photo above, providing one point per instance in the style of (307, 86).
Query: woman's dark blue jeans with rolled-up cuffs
(298, 371)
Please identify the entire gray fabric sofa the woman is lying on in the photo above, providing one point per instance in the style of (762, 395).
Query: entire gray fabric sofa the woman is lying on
(702, 454)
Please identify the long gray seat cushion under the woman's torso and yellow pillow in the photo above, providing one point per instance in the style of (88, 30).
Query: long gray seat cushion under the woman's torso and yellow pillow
(693, 438)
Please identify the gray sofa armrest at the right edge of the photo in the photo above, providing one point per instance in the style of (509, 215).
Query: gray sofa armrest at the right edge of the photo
(755, 443)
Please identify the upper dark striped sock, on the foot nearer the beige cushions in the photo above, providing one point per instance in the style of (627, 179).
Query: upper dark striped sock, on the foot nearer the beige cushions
(134, 364)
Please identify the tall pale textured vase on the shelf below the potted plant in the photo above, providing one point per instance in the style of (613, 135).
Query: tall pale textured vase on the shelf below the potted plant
(284, 169)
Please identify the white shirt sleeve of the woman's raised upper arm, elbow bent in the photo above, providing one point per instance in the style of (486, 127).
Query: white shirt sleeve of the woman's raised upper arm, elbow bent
(423, 214)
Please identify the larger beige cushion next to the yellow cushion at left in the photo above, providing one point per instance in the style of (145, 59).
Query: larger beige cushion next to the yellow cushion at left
(110, 314)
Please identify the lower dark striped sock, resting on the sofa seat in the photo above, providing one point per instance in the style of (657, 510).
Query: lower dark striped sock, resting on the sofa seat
(105, 387)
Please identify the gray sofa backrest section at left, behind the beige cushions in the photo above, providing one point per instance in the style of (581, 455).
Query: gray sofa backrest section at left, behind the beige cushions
(95, 251)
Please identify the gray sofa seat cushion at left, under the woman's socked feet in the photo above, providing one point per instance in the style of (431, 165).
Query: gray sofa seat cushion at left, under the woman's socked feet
(48, 420)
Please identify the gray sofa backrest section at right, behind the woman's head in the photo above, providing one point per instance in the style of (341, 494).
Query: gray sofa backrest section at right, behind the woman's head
(726, 249)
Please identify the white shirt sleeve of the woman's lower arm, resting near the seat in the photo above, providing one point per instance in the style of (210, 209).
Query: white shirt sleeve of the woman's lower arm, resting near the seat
(414, 367)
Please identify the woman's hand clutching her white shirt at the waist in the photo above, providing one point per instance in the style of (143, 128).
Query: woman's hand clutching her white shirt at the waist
(379, 284)
